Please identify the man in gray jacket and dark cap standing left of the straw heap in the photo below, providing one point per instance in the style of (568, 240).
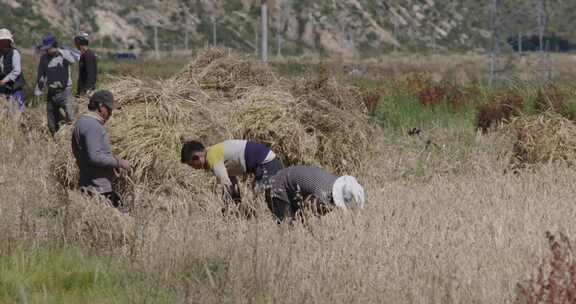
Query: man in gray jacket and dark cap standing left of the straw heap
(91, 149)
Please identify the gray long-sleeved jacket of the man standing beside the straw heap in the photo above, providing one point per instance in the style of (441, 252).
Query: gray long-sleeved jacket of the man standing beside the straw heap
(94, 157)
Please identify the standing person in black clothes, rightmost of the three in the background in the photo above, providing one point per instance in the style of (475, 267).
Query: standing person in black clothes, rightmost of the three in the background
(87, 67)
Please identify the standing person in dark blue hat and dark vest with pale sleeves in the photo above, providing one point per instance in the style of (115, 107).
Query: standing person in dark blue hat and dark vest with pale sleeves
(54, 74)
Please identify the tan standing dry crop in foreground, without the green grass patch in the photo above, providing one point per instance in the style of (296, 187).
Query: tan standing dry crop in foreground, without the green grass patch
(442, 225)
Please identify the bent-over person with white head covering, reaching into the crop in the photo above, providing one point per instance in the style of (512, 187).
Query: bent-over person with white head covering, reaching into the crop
(296, 188)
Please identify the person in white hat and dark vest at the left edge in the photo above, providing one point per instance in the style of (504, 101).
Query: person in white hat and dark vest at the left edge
(11, 78)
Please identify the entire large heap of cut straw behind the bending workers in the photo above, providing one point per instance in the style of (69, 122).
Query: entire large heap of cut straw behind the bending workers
(322, 124)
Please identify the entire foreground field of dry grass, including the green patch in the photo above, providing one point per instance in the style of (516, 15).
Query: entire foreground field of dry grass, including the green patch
(446, 221)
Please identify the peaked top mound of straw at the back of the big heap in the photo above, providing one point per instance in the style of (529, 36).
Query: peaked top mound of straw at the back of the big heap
(222, 73)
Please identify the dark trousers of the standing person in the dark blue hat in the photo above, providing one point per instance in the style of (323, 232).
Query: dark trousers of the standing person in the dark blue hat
(59, 100)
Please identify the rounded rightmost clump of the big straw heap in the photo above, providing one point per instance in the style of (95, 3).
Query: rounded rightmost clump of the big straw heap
(338, 116)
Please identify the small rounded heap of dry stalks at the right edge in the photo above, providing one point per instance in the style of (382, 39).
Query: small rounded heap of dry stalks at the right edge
(544, 138)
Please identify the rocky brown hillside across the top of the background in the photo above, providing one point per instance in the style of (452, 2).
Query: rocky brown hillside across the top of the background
(348, 28)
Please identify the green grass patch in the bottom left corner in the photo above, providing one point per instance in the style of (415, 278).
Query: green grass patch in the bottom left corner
(45, 275)
